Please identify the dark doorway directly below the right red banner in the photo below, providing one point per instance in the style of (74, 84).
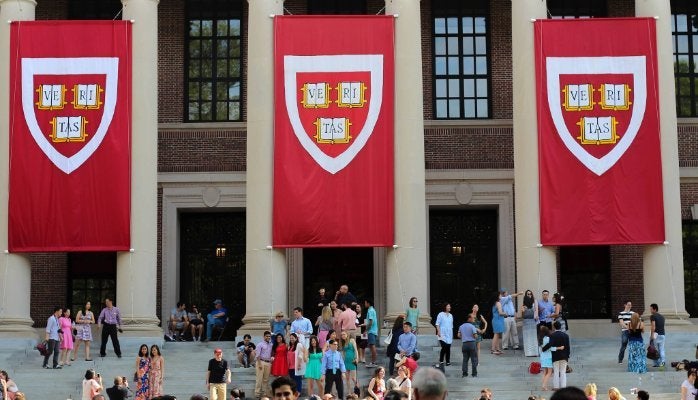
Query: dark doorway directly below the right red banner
(591, 265)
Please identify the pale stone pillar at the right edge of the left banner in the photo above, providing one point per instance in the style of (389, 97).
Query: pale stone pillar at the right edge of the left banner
(136, 271)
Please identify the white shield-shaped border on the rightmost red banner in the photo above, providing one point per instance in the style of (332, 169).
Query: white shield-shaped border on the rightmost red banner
(635, 66)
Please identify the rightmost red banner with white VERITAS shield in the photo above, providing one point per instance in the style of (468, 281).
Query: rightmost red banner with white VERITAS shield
(598, 120)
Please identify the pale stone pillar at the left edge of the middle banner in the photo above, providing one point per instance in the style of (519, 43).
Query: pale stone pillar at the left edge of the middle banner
(266, 275)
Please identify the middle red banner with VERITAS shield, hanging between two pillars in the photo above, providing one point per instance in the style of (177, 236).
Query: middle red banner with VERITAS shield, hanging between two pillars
(333, 133)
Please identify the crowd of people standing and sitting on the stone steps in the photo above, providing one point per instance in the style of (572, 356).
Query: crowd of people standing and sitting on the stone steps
(326, 354)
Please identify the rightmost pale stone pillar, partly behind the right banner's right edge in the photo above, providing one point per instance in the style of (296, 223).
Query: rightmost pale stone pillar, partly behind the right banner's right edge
(663, 264)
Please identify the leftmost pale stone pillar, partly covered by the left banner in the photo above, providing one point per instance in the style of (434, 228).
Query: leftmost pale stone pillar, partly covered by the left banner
(15, 269)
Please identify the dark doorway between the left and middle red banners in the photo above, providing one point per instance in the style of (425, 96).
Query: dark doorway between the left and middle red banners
(212, 263)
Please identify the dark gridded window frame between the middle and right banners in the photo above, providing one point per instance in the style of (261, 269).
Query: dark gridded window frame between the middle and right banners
(460, 11)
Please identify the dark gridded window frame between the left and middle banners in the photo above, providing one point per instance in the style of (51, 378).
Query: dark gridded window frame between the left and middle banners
(215, 11)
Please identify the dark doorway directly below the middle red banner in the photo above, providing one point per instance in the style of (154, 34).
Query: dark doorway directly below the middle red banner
(331, 267)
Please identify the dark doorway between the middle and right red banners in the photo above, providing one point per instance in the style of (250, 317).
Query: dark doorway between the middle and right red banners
(463, 261)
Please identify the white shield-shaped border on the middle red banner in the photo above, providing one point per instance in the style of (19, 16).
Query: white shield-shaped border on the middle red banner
(373, 63)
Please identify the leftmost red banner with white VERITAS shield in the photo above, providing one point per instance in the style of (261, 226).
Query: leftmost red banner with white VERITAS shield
(70, 107)
